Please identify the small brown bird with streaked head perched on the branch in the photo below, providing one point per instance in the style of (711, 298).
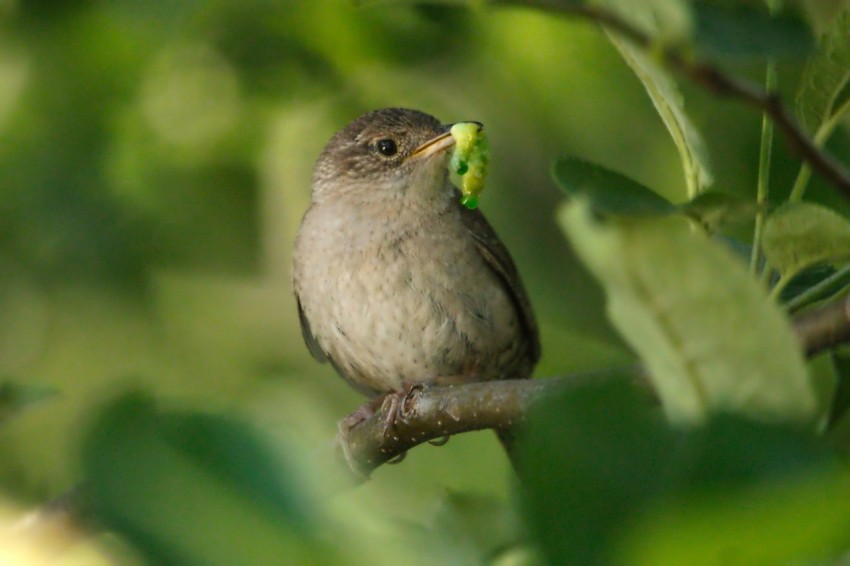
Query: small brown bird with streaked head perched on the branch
(397, 283)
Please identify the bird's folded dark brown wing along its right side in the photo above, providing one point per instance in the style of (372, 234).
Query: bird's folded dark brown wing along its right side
(497, 257)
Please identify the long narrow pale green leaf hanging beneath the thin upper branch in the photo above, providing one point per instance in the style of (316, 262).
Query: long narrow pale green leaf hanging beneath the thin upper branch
(670, 105)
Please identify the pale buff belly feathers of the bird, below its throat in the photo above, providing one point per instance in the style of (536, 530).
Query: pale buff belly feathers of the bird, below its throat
(409, 315)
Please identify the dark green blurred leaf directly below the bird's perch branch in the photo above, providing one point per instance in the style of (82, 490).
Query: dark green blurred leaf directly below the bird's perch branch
(589, 459)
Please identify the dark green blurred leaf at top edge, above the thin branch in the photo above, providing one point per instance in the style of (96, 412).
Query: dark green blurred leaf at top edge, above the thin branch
(727, 28)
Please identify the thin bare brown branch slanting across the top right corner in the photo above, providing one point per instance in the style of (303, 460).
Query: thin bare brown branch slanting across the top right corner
(714, 80)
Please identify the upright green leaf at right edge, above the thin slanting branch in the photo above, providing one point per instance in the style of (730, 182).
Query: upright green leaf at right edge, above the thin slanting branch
(822, 95)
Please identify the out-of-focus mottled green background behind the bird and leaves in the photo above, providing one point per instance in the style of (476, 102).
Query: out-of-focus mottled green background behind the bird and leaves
(155, 160)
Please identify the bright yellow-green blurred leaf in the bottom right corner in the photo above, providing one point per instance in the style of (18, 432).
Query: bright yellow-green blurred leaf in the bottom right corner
(803, 521)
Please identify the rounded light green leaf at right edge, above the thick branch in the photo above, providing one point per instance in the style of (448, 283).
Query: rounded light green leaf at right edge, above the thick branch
(798, 235)
